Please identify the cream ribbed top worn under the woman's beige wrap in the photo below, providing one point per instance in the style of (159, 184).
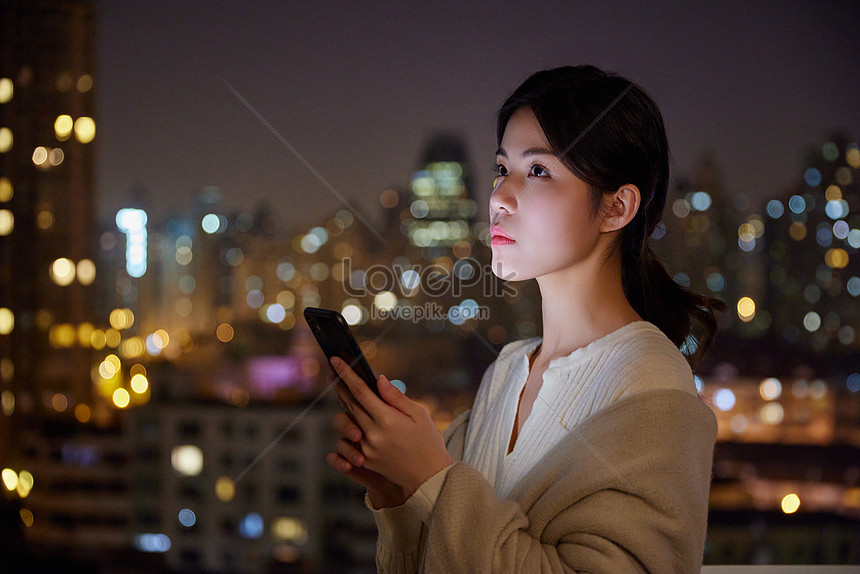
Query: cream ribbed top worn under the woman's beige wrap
(635, 358)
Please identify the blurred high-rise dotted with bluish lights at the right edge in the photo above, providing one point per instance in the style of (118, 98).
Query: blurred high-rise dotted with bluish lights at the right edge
(813, 253)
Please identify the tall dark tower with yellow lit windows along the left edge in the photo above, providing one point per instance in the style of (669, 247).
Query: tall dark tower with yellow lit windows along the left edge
(47, 213)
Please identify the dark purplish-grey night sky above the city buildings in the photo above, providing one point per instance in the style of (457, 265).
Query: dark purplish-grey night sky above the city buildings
(357, 88)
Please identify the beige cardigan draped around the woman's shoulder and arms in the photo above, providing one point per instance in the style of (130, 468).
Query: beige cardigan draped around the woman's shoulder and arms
(625, 491)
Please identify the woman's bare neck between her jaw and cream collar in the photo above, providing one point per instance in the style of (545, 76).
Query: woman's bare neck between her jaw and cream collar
(580, 305)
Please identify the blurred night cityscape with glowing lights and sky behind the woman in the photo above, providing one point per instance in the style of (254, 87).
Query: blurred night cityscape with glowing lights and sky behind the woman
(177, 184)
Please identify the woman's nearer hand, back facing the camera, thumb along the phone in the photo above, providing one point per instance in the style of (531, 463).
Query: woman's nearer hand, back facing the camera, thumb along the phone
(399, 440)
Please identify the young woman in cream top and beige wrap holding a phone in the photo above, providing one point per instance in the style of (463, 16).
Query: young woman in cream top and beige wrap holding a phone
(587, 449)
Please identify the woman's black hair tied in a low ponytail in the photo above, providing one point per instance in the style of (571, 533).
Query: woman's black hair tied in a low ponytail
(609, 132)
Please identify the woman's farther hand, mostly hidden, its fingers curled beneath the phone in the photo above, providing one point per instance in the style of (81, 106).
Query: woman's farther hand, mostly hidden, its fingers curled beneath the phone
(349, 460)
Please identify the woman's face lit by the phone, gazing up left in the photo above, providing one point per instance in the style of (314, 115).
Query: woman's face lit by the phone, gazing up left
(541, 215)
